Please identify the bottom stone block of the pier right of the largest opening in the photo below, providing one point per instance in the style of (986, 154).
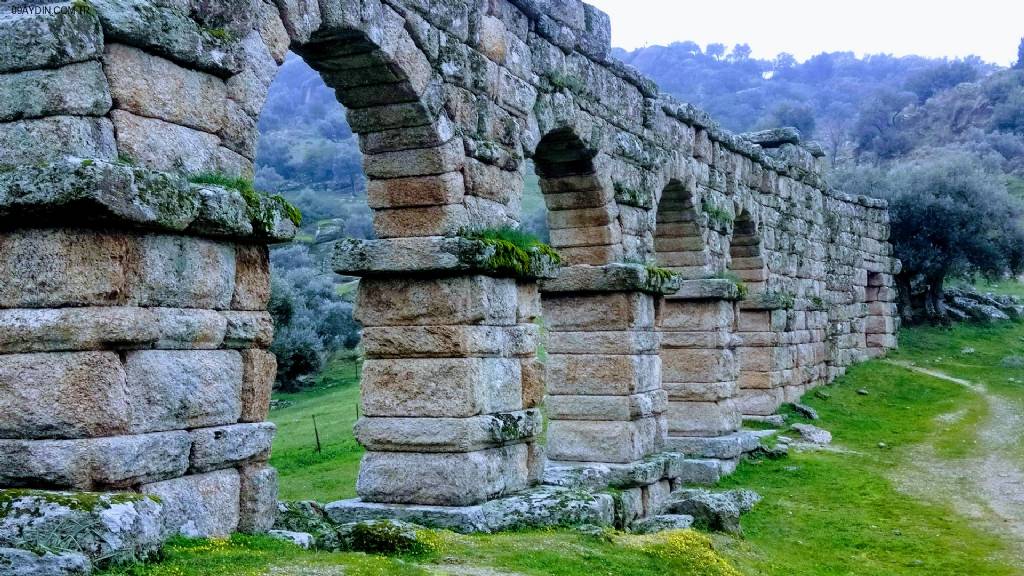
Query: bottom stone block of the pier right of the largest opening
(443, 479)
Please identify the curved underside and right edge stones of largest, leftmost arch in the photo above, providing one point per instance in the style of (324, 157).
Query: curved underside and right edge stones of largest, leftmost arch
(413, 159)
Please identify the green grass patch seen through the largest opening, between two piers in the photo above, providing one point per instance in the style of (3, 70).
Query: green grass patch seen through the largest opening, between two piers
(330, 475)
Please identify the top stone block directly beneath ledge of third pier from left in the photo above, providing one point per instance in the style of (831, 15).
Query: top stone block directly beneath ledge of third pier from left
(623, 311)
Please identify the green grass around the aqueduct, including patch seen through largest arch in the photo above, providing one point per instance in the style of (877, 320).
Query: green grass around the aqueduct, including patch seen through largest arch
(867, 509)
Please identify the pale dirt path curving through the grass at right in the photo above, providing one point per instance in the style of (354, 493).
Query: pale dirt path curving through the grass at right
(988, 487)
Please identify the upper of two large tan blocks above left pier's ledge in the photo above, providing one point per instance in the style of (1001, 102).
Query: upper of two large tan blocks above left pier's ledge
(151, 87)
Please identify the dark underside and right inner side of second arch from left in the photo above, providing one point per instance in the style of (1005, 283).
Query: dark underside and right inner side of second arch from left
(582, 213)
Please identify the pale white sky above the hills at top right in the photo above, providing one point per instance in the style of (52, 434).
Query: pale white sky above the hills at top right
(991, 29)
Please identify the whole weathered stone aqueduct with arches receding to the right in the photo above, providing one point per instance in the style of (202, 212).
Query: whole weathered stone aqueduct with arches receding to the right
(133, 327)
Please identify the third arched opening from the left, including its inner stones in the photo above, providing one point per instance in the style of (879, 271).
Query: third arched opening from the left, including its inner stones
(679, 240)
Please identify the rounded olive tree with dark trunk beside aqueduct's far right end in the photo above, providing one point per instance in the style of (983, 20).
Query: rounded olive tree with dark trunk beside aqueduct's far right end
(951, 217)
